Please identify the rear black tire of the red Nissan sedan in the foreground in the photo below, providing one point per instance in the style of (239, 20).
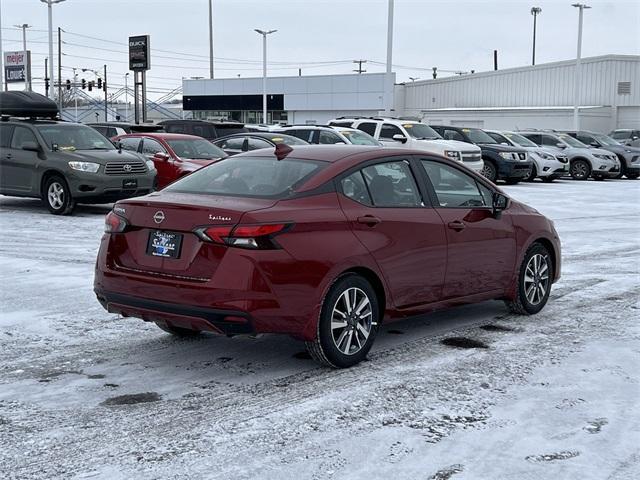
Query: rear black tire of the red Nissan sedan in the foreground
(325, 349)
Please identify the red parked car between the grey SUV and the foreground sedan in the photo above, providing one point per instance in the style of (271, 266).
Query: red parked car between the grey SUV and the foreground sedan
(174, 155)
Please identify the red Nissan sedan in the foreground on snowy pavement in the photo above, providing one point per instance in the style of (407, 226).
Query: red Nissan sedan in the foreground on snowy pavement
(322, 243)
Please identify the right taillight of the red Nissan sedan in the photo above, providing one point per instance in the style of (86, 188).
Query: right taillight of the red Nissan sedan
(244, 236)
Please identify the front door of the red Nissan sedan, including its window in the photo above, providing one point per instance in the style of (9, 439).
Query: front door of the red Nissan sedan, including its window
(481, 246)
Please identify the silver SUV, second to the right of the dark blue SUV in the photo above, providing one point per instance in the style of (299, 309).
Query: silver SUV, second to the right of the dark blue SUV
(584, 162)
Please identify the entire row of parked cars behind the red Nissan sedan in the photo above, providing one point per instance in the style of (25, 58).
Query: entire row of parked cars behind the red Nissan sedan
(105, 162)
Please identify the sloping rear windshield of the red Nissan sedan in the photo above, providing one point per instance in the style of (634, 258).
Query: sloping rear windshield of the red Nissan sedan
(258, 177)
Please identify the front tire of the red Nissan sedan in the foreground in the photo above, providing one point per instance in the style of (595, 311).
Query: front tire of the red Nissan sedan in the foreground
(523, 304)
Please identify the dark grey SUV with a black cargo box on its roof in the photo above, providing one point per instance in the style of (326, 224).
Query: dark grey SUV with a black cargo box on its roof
(64, 163)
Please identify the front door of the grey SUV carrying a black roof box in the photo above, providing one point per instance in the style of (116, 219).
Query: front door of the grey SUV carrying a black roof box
(19, 165)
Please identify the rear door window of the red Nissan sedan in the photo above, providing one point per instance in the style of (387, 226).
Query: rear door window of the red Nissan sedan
(392, 184)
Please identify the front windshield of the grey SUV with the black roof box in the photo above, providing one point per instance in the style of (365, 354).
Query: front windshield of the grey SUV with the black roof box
(71, 137)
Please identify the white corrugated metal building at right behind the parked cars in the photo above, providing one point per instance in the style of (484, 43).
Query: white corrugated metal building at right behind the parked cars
(539, 96)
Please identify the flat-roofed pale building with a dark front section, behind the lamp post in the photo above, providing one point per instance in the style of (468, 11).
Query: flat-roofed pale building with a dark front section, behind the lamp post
(309, 99)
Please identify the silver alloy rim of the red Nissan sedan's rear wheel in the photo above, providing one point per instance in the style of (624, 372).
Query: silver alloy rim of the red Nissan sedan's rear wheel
(351, 321)
